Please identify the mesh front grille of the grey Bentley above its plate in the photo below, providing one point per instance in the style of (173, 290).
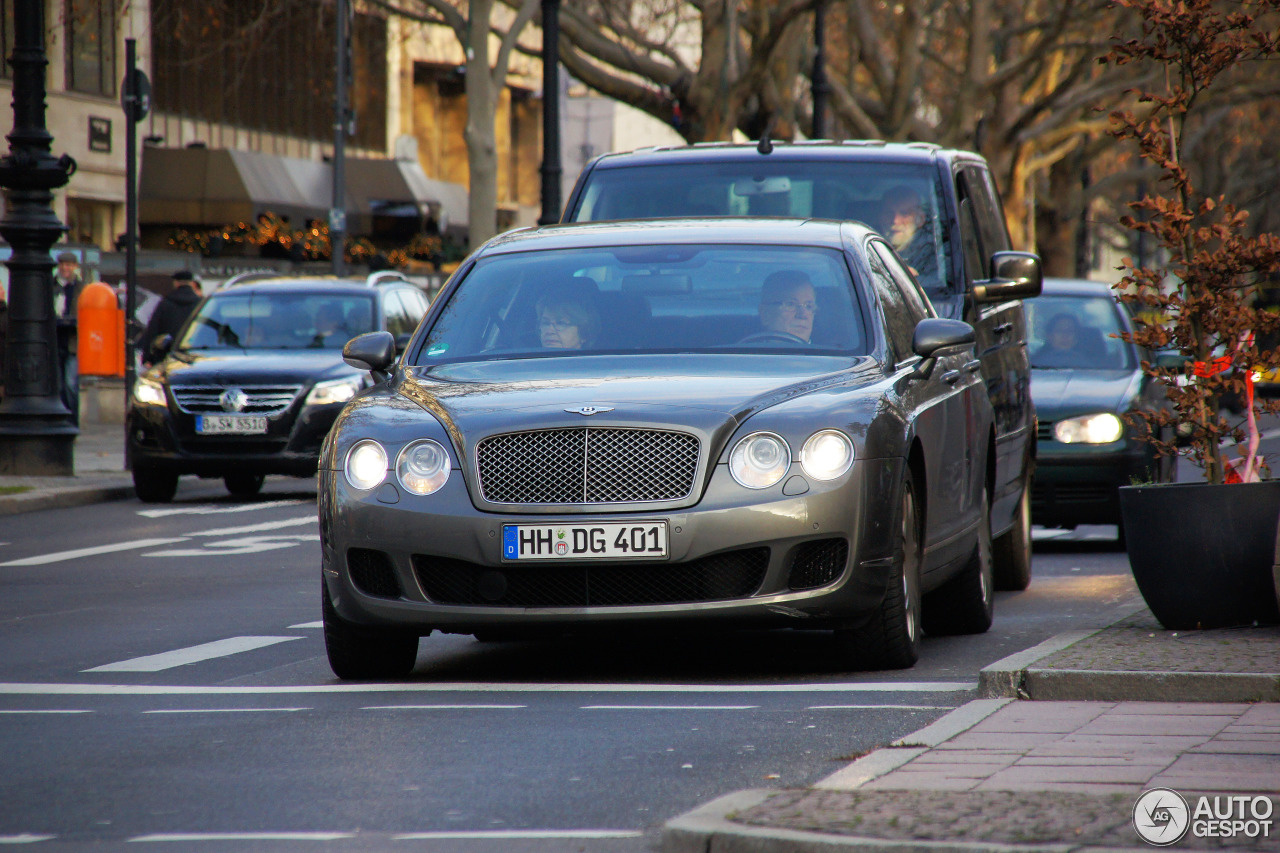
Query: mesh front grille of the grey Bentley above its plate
(588, 466)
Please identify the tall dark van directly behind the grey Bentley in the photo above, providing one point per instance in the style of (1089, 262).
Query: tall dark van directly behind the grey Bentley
(966, 266)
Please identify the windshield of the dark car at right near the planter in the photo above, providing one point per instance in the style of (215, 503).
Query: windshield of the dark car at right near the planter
(1077, 332)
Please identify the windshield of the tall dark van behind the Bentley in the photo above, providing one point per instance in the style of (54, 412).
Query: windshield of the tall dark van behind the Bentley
(900, 202)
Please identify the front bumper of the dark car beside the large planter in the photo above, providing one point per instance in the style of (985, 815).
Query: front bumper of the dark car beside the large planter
(1081, 483)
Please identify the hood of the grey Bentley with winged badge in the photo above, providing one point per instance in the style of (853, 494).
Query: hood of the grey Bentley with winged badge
(700, 391)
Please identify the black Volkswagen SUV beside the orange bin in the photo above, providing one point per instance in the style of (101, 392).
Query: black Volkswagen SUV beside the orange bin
(255, 378)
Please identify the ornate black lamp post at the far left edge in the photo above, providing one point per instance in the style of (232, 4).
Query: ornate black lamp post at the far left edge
(38, 432)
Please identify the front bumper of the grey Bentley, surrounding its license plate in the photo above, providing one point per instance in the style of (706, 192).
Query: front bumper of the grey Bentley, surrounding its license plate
(436, 563)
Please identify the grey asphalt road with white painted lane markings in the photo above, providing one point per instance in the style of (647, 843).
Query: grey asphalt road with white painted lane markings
(163, 678)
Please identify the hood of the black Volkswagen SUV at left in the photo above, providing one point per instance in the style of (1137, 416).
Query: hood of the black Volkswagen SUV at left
(254, 367)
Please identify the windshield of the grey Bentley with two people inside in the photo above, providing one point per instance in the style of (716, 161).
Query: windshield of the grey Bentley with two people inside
(651, 299)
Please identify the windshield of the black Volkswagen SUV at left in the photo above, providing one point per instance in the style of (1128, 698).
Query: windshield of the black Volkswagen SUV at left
(263, 321)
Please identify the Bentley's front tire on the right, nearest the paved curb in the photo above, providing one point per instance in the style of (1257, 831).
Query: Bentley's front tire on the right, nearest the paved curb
(890, 640)
